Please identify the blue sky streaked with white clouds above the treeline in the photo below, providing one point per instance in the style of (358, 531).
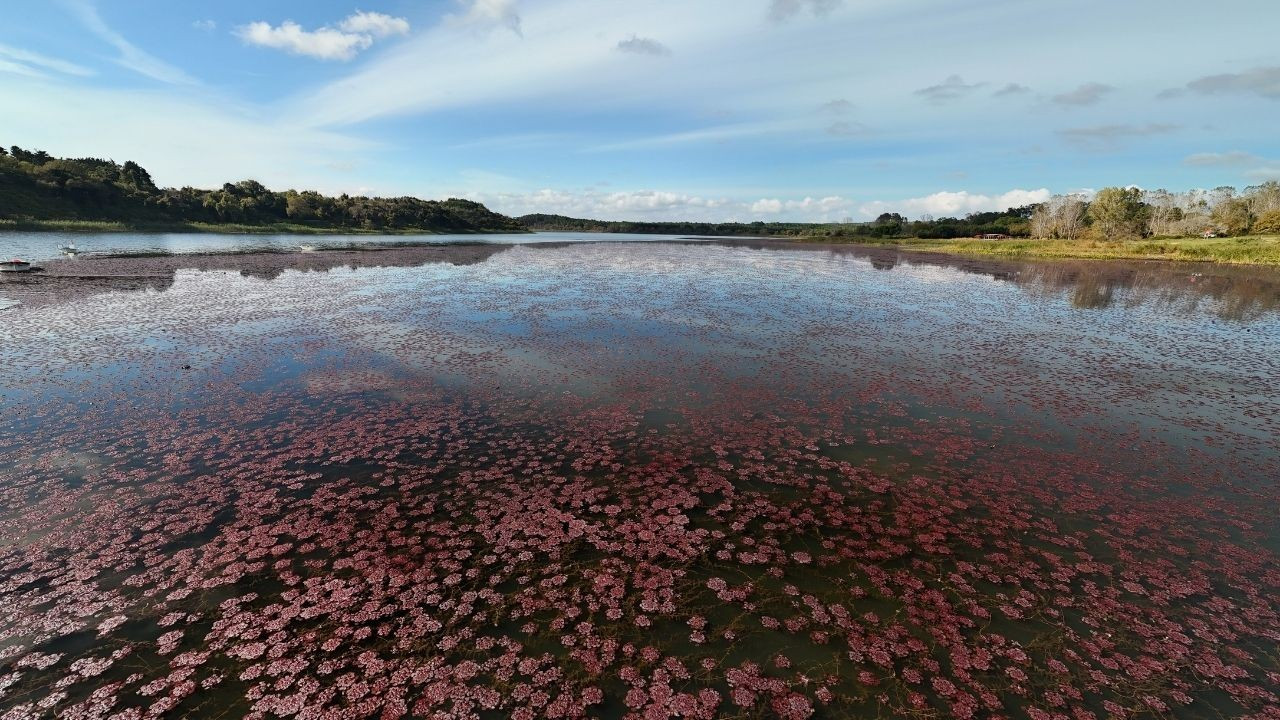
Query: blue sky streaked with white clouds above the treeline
(659, 110)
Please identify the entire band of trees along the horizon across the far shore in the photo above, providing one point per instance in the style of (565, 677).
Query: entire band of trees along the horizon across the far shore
(36, 186)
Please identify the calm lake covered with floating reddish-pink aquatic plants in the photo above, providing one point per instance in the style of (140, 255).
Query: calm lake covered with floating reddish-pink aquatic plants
(580, 477)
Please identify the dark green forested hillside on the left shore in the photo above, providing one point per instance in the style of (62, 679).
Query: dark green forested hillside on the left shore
(39, 188)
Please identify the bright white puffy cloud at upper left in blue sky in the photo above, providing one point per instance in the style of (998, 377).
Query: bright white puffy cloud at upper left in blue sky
(354, 34)
